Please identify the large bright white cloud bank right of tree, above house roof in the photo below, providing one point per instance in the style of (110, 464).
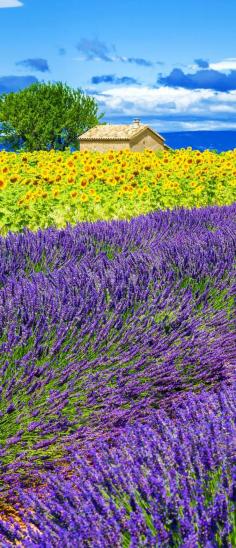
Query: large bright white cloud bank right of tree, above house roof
(172, 108)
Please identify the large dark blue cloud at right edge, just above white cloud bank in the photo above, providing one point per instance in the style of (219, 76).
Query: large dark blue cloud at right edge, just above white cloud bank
(202, 79)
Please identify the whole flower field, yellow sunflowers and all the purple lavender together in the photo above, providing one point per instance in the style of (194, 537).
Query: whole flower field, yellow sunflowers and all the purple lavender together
(117, 349)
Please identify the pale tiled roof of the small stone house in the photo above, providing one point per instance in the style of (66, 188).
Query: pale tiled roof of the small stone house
(120, 132)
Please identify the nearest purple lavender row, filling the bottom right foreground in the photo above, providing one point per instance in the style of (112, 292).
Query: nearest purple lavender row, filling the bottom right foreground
(168, 483)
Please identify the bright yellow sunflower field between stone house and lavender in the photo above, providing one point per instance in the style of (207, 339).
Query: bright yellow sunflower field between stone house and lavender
(42, 189)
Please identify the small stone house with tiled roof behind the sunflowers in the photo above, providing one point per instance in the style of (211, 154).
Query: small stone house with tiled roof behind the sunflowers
(134, 136)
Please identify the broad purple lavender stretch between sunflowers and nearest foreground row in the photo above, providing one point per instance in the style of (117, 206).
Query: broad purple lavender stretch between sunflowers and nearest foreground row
(103, 323)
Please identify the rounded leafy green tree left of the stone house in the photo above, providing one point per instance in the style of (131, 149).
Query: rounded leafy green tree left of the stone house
(45, 116)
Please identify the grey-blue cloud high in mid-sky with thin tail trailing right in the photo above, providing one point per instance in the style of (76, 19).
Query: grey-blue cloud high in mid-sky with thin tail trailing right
(95, 50)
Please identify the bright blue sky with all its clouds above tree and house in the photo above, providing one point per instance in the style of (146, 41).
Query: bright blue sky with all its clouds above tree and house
(172, 63)
